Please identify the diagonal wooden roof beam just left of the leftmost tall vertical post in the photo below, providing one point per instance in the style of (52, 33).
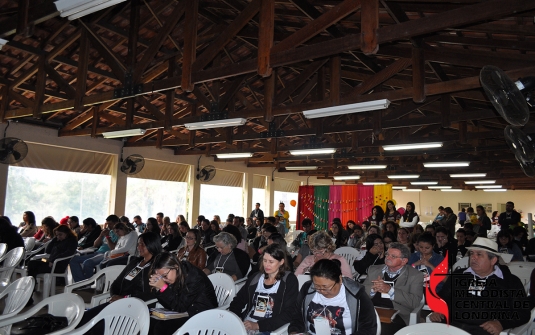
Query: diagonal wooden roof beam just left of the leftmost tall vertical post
(158, 40)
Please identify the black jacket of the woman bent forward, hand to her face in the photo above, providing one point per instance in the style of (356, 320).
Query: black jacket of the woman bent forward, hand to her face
(197, 295)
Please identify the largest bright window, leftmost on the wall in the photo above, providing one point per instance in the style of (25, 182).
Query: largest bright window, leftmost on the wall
(57, 194)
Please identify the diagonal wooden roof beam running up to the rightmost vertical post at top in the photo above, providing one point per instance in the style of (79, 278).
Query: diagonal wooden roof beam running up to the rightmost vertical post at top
(318, 25)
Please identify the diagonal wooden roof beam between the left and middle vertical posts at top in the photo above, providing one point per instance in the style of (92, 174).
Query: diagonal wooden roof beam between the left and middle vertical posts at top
(230, 32)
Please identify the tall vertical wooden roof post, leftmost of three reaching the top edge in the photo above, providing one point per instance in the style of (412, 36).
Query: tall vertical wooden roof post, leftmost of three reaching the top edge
(190, 43)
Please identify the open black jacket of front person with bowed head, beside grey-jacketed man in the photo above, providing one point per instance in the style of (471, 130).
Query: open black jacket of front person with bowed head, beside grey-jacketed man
(363, 317)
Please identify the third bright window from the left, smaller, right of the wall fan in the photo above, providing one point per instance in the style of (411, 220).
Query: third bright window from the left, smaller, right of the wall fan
(220, 200)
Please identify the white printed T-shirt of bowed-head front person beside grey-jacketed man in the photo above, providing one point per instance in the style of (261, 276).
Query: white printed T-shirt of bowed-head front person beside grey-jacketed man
(334, 309)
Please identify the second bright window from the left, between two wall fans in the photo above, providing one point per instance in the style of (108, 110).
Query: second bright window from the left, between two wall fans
(146, 197)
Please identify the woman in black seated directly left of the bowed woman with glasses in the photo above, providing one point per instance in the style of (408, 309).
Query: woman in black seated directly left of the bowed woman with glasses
(133, 281)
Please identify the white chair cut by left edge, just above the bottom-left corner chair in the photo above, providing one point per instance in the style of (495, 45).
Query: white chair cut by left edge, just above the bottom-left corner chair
(16, 296)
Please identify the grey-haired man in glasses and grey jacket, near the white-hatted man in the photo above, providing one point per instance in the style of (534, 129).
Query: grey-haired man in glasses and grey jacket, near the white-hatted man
(395, 285)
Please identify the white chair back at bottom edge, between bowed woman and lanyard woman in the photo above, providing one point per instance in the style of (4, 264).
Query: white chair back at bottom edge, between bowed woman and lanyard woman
(214, 321)
